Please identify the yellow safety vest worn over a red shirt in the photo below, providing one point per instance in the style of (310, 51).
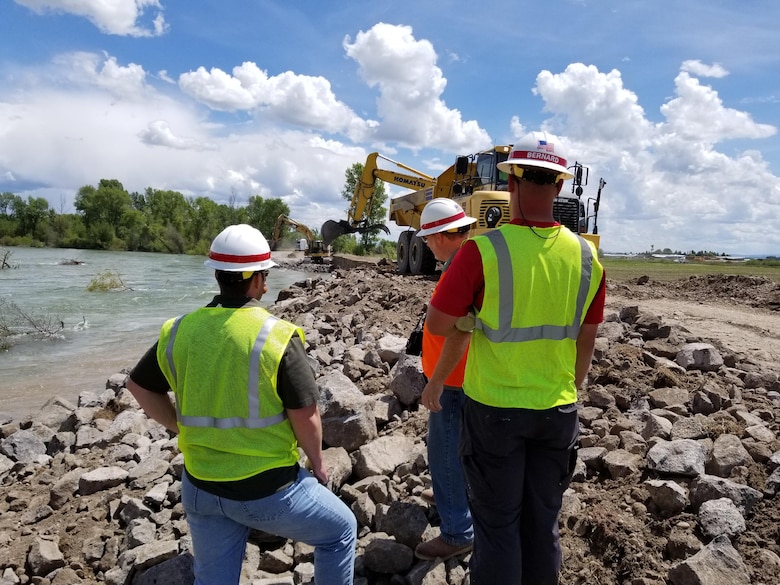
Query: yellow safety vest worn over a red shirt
(537, 291)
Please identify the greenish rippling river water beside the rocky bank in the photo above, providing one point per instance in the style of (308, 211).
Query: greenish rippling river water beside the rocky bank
(101, 332)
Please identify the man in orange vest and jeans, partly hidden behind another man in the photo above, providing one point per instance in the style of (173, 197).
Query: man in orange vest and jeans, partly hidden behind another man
(444, 227)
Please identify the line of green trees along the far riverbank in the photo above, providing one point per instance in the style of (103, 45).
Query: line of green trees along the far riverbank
(108, 217)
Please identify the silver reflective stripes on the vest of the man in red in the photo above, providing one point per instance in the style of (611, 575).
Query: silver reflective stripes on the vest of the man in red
(505, 331)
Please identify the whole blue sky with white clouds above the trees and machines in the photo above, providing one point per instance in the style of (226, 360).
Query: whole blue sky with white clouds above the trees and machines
(675, 104)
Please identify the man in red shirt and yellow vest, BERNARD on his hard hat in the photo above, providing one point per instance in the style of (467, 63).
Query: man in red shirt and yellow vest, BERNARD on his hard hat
(538, 290)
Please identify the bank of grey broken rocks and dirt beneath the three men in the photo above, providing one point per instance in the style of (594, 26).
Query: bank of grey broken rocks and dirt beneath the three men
(676, 482)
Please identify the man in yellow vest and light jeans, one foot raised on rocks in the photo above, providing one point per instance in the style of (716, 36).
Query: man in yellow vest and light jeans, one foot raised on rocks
(245, 400)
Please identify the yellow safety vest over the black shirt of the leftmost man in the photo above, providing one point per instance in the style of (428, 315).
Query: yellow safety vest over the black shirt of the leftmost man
(222, 364)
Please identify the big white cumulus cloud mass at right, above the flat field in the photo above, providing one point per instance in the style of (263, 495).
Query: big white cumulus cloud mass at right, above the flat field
(670, 182)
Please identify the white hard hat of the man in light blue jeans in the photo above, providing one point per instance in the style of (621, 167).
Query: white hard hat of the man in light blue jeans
(240, 248)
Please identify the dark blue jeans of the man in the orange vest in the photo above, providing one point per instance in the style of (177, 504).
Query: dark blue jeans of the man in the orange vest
(449, 485)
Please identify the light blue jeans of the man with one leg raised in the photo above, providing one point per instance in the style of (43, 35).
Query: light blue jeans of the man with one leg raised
(305, 511)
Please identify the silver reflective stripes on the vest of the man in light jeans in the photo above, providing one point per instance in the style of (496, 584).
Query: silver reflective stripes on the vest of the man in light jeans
(253, 388)
